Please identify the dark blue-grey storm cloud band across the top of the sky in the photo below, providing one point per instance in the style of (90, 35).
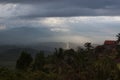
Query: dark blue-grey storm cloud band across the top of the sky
(66, 8)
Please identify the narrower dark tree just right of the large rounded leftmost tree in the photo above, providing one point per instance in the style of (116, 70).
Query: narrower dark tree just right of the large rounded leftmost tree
(39, 61)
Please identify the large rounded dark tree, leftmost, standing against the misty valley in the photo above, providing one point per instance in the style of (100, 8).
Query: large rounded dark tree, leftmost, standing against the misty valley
(24, 61)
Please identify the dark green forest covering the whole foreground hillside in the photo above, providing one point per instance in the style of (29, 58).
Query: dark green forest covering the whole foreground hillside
(90, 63)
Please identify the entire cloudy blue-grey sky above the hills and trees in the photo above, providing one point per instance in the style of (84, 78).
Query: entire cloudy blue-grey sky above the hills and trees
(78, 21)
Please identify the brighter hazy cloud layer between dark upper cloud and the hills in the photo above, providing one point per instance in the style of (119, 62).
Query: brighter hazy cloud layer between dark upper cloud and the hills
(57, 29)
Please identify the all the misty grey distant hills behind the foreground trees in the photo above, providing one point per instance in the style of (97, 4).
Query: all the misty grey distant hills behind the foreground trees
(10, 53)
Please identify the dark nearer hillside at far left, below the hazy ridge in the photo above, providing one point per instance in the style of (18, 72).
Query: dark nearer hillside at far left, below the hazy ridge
(9, 54)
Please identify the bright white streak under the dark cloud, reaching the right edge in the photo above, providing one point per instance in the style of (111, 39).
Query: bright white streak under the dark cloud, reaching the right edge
(88, 19)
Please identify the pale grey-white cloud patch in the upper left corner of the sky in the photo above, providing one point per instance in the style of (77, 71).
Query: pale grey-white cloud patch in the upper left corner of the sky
(12, 10)
